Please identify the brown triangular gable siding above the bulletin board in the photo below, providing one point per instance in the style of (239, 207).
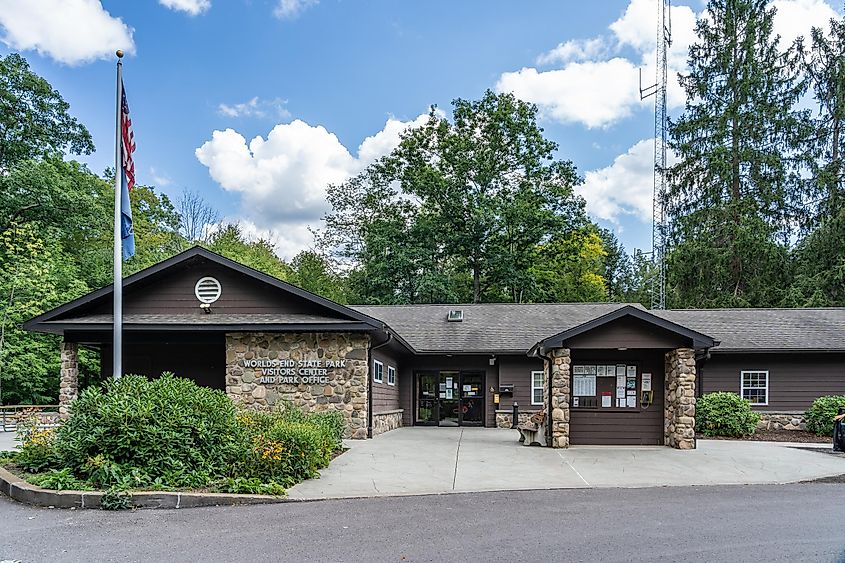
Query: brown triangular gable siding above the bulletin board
(627, 332)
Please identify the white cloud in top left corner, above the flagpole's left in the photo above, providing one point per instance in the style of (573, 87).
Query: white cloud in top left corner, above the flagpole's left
(69, 31)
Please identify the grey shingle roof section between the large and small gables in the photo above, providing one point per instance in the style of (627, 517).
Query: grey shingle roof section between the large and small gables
(489, 327)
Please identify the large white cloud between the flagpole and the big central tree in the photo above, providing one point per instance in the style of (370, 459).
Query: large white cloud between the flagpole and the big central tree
(282, 179)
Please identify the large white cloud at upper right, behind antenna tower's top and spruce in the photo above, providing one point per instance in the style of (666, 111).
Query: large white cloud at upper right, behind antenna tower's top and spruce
(597, 82)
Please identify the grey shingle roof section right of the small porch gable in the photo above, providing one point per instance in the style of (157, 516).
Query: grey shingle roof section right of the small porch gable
(766, 329)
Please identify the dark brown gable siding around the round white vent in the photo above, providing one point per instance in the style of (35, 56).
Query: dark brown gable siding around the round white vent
(173, 293)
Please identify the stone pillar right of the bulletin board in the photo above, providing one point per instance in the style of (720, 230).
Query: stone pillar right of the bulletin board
(679, 409)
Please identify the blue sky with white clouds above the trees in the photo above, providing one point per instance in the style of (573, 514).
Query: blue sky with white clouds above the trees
(326, 86)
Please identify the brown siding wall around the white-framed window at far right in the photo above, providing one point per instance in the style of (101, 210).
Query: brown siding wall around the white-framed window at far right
(795, 380)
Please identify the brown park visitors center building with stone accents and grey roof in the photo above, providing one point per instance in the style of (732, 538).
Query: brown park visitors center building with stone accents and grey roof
(607, 373)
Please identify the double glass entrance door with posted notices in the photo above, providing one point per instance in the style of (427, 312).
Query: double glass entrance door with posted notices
(450, 398)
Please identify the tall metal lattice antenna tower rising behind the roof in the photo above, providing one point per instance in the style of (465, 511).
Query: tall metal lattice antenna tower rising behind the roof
(660, 228)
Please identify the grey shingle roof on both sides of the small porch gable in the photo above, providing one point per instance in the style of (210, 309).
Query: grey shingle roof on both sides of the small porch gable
(517, 327)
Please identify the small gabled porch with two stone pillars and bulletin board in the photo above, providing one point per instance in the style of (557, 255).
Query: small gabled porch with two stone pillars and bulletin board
(625, 378)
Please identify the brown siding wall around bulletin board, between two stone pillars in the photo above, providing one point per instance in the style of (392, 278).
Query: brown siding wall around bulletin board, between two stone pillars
(635, 427)
